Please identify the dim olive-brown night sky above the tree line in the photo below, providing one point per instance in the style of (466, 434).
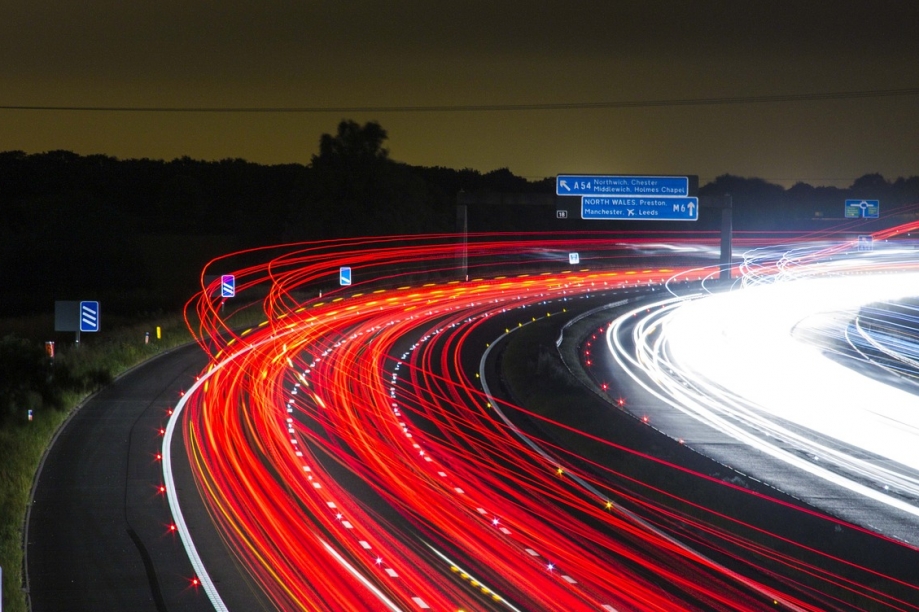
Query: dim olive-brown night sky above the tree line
(357, 54)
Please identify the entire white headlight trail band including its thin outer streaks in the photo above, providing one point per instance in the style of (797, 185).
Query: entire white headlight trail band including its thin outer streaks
(746, 363)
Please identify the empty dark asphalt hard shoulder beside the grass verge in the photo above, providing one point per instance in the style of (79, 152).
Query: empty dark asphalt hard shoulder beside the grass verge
(98, 533)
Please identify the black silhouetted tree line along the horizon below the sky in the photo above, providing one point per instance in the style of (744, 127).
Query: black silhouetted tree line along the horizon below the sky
(136, 232)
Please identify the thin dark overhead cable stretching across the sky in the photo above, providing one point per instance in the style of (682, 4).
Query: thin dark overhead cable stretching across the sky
(464, 108)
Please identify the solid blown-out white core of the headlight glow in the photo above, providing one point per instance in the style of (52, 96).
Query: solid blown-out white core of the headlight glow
(743, 342)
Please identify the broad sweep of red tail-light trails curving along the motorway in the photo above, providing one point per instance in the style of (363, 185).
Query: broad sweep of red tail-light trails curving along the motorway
(349, 456)
